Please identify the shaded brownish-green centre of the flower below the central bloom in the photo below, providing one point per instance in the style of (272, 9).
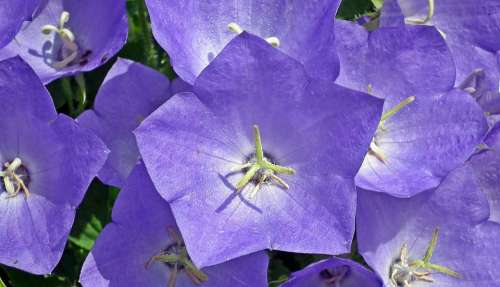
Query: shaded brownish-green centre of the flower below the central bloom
(176, 257)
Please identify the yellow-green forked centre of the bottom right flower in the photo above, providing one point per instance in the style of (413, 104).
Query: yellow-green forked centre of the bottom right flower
(404, 271)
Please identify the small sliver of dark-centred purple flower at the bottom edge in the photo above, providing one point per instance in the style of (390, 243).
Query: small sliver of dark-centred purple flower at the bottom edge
(334, 272)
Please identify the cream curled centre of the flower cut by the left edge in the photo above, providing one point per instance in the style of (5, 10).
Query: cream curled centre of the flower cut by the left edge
(15, 178)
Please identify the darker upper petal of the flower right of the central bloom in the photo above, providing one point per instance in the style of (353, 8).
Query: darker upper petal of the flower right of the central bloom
(397, 62)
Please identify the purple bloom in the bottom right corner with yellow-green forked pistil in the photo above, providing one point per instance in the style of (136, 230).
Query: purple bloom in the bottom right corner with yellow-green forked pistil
(438, 238)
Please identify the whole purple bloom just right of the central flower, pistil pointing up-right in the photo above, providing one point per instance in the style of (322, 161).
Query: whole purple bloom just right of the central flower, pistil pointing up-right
(427, 128)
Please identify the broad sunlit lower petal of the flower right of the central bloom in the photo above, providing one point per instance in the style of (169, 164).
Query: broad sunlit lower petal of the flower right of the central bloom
(422, 143)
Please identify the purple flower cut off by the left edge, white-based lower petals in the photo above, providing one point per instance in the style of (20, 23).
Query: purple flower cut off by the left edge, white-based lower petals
(47, 164)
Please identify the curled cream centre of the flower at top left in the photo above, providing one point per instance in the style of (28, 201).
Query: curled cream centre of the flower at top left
(69, 49)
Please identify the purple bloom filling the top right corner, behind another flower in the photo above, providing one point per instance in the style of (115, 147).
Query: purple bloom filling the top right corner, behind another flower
(470, 28)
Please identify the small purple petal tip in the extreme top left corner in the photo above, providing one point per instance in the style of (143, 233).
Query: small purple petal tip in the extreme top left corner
(12, 14)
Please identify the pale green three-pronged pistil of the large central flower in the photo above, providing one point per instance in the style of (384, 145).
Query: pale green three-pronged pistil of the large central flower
(262, 168)
